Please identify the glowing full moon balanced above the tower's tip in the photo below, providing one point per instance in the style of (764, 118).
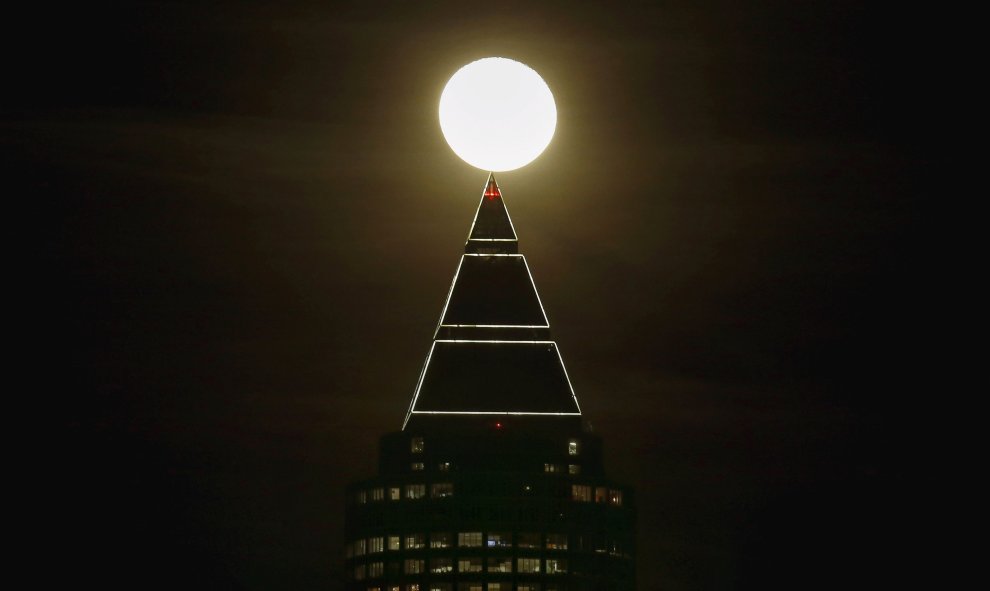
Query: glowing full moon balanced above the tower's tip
(497, 114)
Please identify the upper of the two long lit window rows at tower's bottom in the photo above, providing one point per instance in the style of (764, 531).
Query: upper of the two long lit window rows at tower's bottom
(418, 541)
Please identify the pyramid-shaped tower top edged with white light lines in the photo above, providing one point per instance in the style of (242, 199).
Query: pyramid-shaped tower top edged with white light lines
(492, 354)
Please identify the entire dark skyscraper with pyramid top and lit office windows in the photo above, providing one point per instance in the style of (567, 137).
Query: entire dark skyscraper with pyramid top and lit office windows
(494, 483)
